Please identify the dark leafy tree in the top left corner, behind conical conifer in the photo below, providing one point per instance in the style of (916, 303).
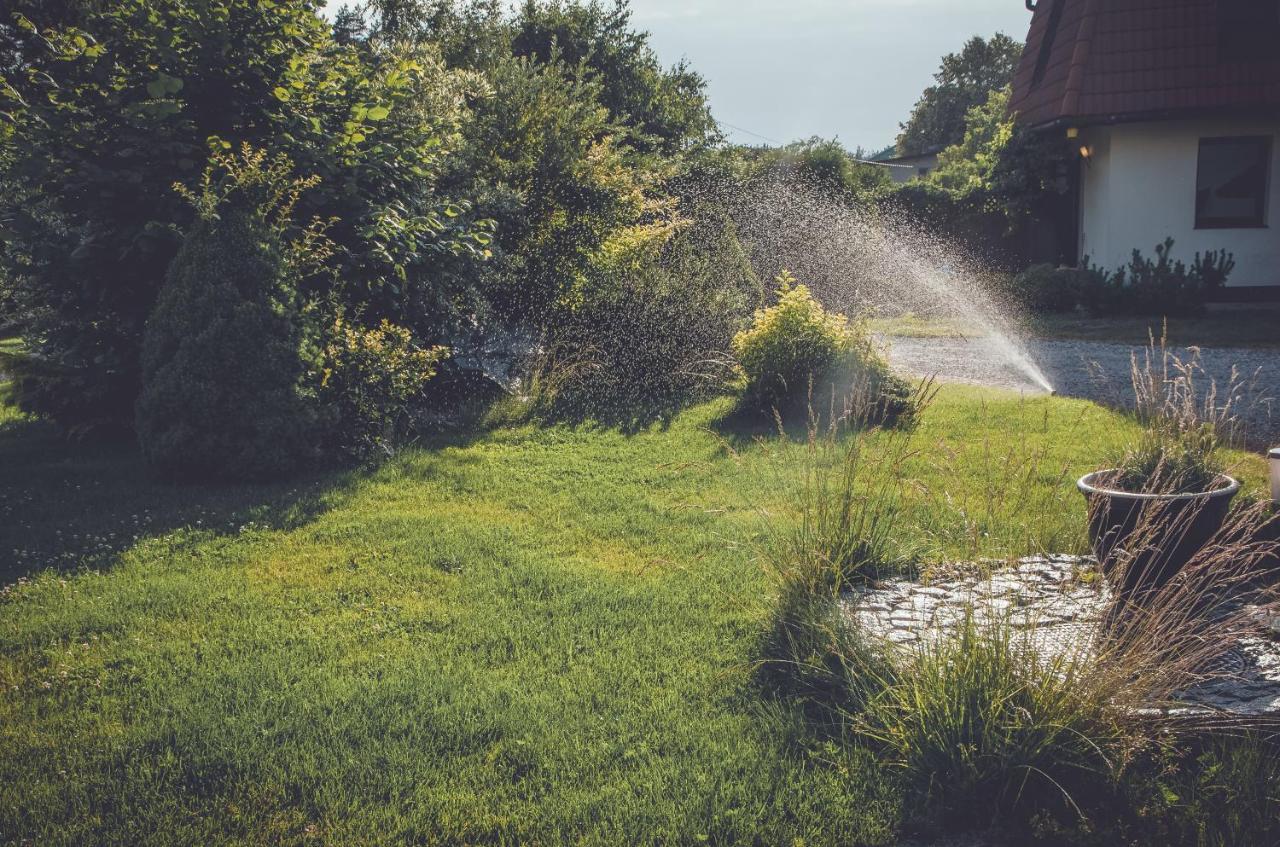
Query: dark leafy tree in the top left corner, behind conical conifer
(115, 103)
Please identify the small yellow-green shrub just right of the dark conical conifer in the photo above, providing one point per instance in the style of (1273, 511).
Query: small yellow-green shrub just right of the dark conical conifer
(369, 384)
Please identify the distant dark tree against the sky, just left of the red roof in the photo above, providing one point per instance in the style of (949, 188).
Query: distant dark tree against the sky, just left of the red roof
(964, 81)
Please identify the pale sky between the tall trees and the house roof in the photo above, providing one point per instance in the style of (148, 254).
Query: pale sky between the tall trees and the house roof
(779, 71)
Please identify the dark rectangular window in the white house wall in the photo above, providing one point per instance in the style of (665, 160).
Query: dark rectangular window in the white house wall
(1232, 182)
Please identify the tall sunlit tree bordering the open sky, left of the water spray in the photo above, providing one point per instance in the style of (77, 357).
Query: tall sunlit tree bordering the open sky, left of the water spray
(570, 146)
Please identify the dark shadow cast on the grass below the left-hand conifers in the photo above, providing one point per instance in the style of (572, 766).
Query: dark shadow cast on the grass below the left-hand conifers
(79, 505)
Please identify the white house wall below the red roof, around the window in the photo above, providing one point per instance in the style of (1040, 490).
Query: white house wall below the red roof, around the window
(1140, 187)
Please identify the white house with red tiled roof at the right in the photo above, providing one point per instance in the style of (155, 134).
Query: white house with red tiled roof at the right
(1173, 113)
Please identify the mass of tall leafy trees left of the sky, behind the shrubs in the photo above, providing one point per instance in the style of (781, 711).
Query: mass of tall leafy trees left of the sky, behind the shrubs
(477, 166)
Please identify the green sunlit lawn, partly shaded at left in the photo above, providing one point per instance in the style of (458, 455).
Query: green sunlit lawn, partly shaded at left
(533, 635)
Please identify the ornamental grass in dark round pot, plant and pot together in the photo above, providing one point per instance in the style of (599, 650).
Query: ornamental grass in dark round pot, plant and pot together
(1168, 496)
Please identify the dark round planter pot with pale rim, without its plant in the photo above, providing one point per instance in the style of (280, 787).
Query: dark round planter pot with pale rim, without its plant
(1181, 526)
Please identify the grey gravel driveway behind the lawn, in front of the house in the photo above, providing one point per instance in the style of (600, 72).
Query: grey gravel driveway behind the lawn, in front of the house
(1094, 370)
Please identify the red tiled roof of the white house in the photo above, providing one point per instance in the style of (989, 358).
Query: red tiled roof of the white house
(1133, 59)
